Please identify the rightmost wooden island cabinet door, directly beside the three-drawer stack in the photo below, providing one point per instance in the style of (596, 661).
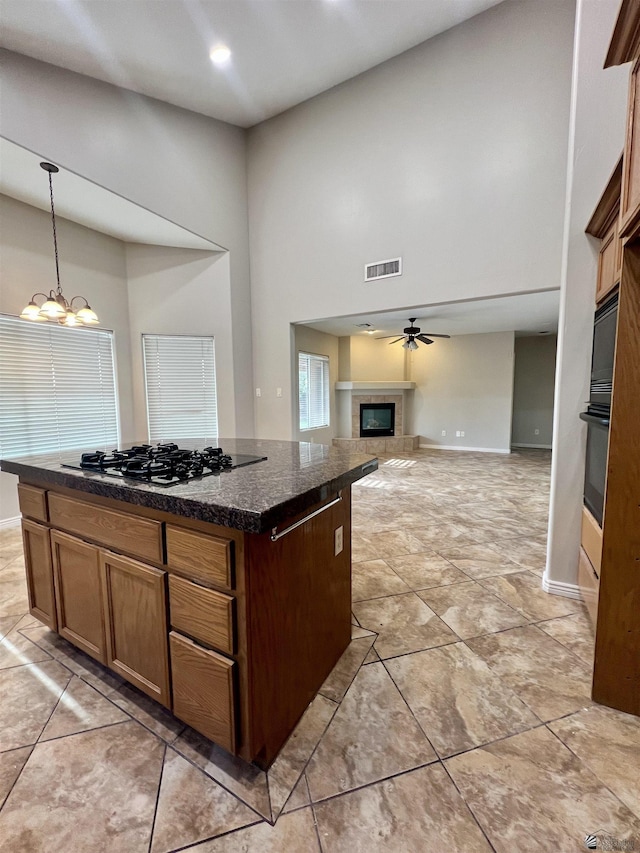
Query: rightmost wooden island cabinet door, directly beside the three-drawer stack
(135, 605)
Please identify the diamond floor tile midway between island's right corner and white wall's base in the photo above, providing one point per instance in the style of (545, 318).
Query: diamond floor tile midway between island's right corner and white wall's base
(470, 610)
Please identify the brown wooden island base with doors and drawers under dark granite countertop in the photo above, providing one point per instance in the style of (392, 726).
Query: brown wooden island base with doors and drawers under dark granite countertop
(234, 632)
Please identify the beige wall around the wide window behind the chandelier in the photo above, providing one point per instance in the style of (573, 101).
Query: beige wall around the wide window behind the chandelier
(91, 265)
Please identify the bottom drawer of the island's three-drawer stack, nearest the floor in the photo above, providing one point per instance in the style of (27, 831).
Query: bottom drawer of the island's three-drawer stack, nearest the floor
(203, 690)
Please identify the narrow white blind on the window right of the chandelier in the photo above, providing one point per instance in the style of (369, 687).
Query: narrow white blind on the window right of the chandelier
(180, 378)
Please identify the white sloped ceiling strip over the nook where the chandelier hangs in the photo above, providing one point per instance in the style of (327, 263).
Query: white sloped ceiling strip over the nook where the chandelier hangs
(88, 204)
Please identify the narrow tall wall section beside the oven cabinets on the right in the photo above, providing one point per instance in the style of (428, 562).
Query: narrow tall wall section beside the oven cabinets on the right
(597, 138)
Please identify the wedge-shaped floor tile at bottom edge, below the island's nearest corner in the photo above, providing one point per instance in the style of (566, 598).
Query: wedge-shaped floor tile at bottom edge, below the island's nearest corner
(293, 833)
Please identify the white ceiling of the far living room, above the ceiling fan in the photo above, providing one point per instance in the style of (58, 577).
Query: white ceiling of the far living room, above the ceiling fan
(526, 314)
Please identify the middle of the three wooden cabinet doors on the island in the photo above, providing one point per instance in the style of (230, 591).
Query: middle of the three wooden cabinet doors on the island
(79, 594)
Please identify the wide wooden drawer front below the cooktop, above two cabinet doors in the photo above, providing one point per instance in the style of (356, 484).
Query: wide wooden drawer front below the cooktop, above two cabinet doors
(141, 537)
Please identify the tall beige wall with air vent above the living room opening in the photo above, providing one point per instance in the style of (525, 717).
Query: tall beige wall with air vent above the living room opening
(452, 155)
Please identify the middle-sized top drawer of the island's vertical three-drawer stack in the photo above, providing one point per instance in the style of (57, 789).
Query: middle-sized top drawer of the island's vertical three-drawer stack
(204, 558)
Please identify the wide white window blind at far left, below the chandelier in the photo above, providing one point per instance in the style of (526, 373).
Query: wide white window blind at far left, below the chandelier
(57, 388)
